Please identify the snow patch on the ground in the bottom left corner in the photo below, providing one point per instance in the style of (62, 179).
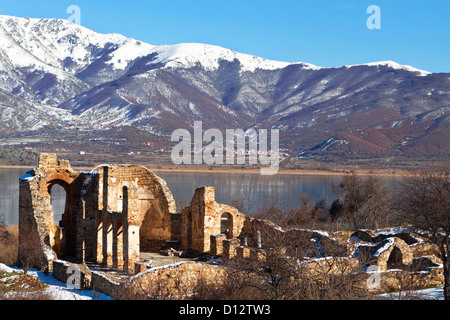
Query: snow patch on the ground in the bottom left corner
(57, 289)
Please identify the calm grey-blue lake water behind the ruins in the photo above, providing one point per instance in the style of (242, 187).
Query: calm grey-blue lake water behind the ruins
(253, 190)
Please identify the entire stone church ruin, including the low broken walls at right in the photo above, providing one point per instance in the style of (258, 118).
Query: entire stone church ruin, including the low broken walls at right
(115, 212)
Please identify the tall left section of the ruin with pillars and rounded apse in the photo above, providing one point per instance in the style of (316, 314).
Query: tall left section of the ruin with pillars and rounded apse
(95, 226)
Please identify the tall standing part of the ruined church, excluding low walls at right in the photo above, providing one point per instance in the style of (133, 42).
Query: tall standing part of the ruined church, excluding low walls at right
(113, 213)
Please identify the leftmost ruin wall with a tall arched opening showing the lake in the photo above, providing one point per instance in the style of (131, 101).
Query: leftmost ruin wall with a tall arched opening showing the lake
(36, 212)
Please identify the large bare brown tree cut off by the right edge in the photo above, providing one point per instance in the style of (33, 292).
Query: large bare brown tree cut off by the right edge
(423, 202)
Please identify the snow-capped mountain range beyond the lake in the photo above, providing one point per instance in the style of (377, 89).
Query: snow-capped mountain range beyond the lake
(54, 72)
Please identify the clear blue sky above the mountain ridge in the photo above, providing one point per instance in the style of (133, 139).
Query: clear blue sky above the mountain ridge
(327, 33)
